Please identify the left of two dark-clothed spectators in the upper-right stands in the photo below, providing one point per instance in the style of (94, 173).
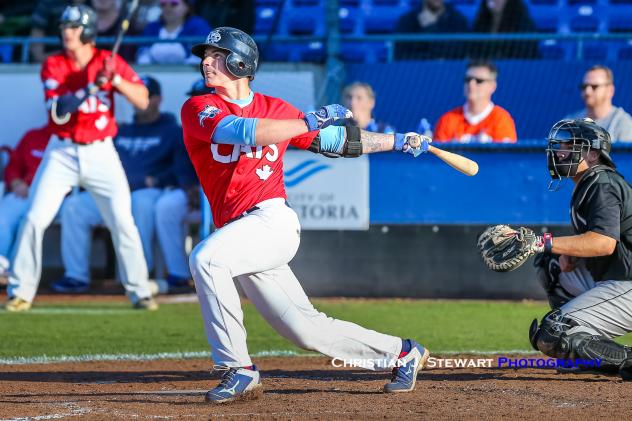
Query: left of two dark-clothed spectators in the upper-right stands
(432, 17)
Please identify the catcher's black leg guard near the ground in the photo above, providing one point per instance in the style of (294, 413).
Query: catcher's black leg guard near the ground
(559, 336)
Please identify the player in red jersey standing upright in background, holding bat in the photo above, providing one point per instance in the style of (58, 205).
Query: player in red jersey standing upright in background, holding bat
(79, 85)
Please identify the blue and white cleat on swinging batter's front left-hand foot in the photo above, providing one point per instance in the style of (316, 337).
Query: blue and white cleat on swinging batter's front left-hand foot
(237, 384)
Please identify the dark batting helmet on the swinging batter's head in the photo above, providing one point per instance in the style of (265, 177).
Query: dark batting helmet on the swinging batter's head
(243, 56)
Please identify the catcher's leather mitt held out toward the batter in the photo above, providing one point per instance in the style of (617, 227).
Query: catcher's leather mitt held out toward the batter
(504, 249)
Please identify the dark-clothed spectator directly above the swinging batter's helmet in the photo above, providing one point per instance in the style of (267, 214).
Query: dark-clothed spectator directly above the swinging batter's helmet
(238, 14)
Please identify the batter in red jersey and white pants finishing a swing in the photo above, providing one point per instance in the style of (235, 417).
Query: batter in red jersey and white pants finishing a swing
(236, 139)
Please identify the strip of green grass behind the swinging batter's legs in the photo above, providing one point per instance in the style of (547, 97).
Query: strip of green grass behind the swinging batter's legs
(113, 328)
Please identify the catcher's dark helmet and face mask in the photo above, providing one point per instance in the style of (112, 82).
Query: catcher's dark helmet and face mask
(568, 141)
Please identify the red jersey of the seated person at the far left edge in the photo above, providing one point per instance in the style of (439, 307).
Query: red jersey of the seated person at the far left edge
(27, 156)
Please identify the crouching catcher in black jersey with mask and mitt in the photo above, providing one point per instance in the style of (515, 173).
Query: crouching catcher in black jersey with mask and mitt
(587, 276)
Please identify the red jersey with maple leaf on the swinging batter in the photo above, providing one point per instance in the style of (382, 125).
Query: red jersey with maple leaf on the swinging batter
(236, 177)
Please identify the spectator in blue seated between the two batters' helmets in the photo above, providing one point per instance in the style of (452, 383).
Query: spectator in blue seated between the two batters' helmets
(177, 21)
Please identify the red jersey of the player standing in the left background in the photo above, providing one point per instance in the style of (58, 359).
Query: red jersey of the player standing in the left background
(94, 120)
